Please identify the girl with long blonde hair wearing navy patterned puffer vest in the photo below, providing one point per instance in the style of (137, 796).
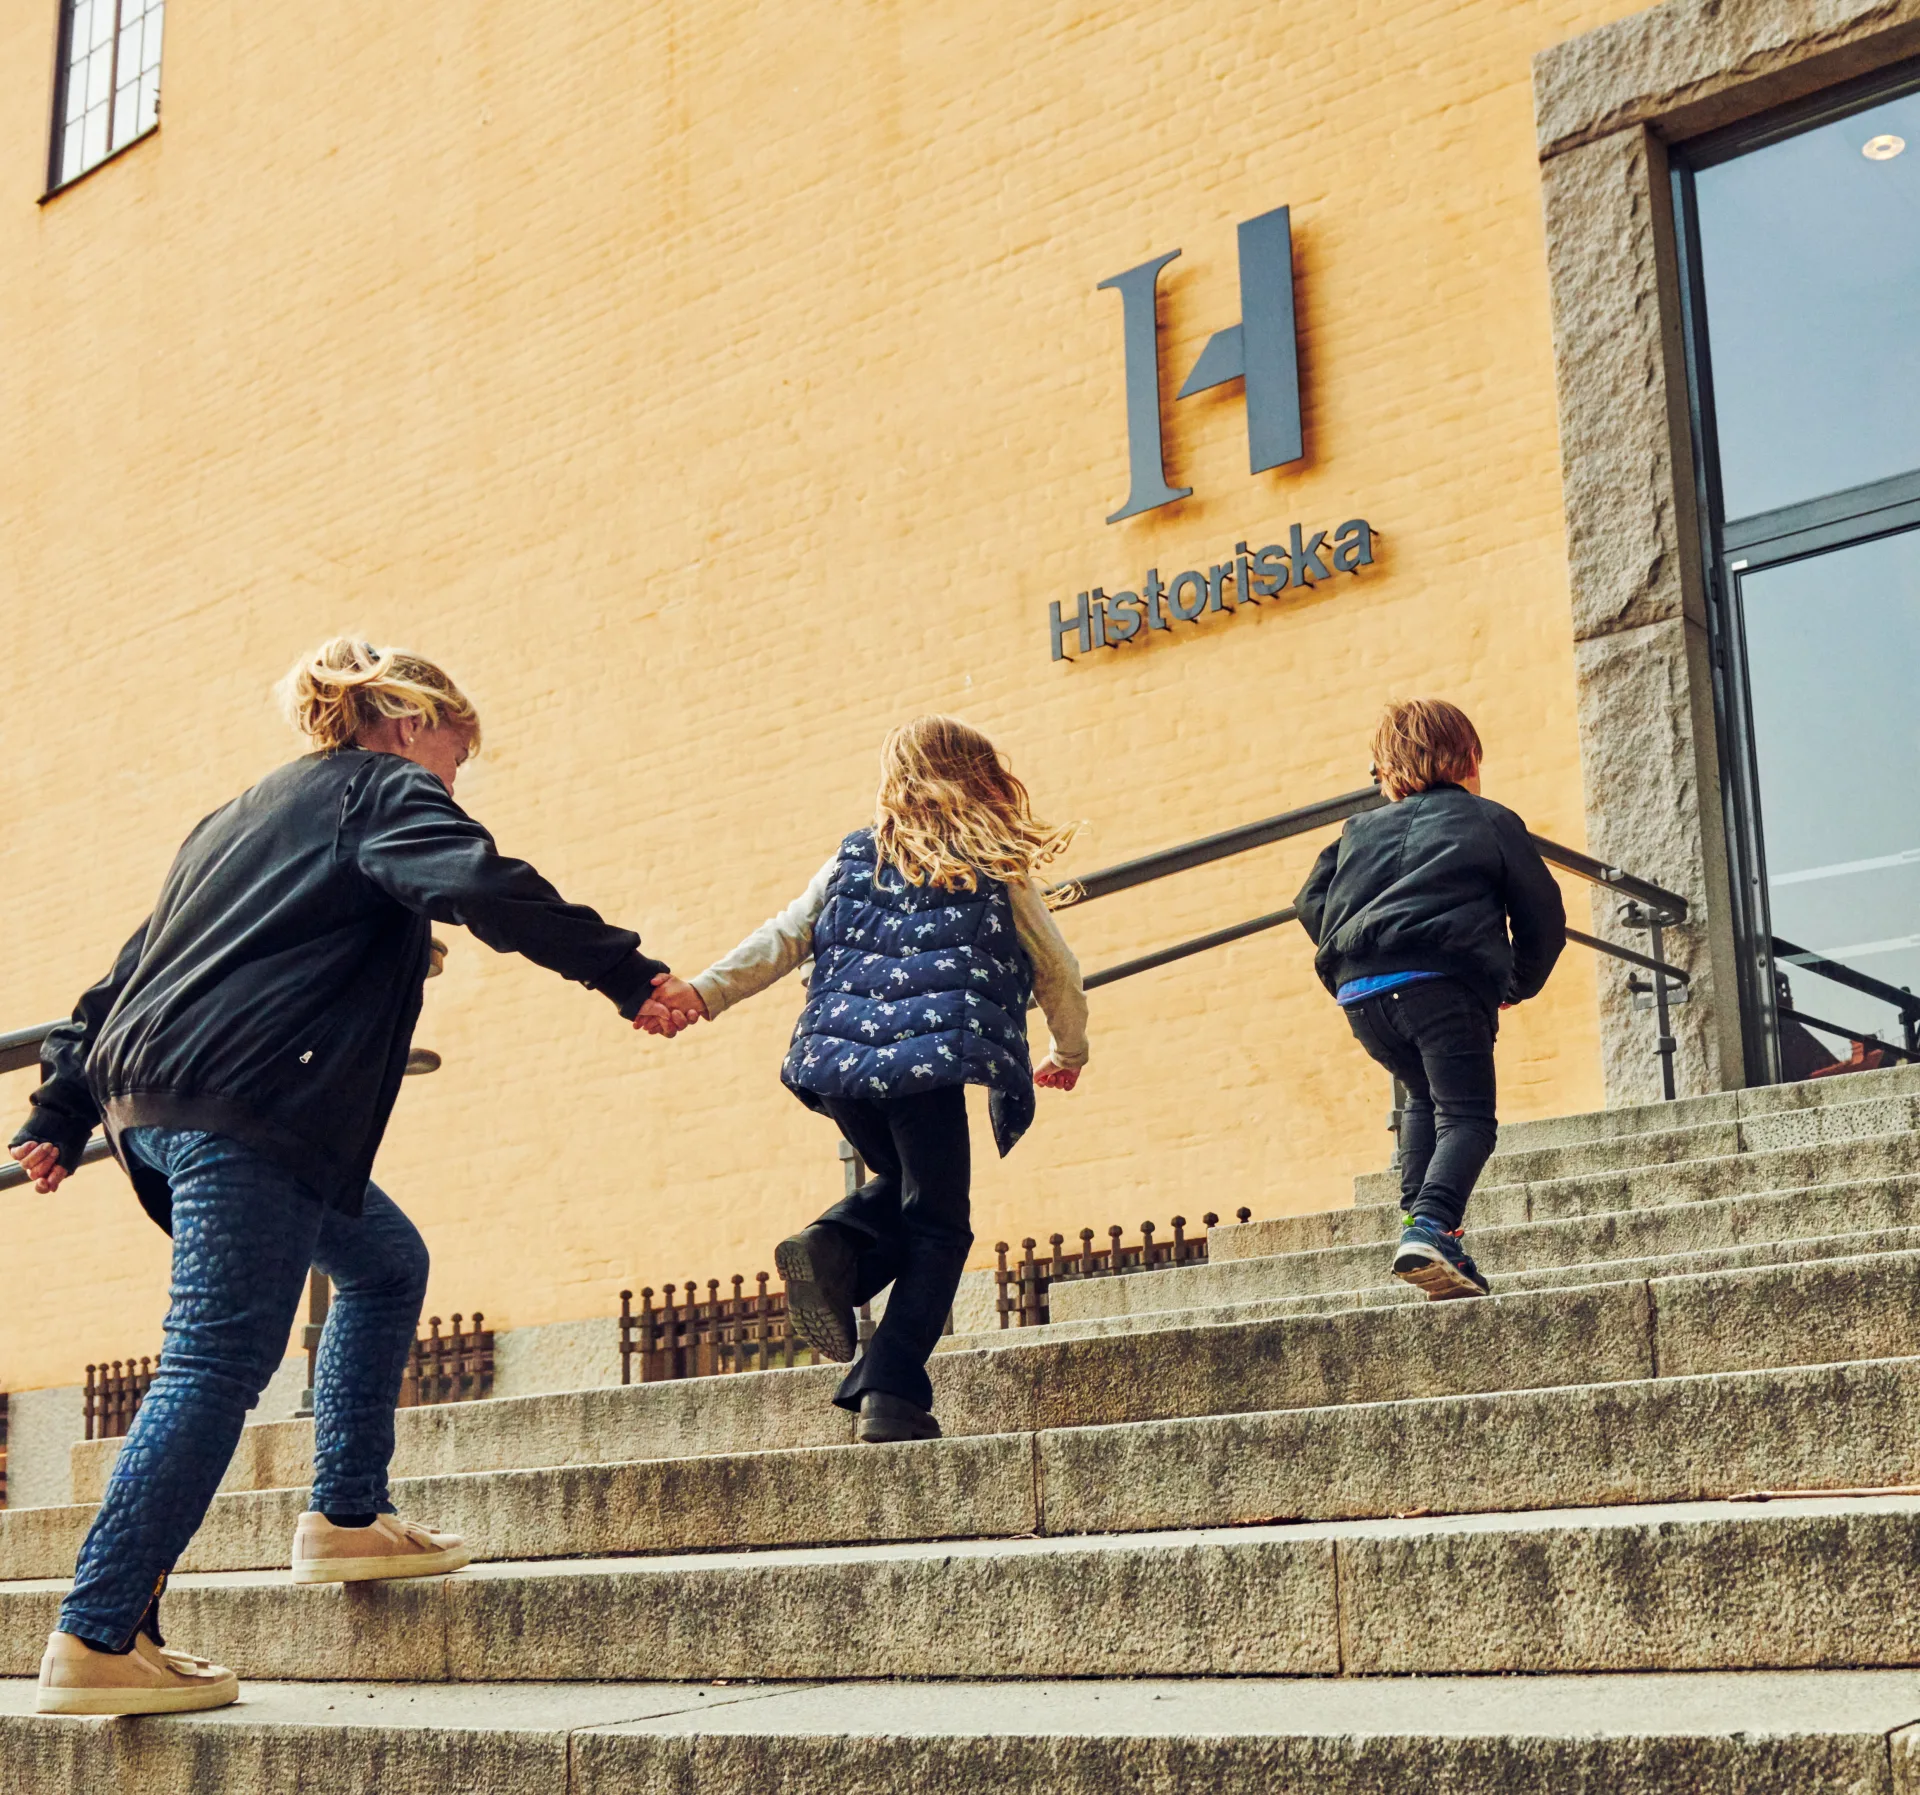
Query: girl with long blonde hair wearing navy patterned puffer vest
(930, 936)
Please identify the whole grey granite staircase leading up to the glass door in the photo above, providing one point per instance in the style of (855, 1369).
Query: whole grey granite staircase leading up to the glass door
(1260, 1525)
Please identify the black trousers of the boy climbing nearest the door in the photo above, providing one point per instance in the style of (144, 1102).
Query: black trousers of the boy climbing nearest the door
(1437, 1038)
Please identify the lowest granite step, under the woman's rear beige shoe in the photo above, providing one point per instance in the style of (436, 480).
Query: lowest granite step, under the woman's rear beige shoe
(1781, 1733)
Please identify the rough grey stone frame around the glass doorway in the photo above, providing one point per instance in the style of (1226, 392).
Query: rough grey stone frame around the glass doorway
(1606, 108)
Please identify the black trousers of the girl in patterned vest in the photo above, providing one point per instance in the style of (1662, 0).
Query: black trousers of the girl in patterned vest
(915, 1224)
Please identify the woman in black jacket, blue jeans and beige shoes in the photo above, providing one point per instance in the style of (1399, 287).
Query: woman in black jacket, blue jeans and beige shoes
(245, 1055)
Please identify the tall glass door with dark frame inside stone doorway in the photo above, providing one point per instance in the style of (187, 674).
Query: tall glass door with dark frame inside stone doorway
(1802, 266)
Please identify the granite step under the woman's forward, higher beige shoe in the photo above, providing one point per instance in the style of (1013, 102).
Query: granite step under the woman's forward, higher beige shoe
(1823, 1583)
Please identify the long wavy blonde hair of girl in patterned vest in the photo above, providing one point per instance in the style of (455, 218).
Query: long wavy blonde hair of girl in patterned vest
(949, 813)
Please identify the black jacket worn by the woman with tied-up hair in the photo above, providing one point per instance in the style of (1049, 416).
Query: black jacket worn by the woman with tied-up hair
(274, 992)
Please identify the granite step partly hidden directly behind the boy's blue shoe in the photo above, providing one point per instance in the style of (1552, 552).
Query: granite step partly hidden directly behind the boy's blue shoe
(1533, 1249)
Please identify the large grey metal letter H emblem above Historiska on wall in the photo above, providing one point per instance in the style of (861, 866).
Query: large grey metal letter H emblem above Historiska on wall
(1260, 350)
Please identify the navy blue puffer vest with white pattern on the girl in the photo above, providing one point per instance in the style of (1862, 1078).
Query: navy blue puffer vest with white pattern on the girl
(915, 990)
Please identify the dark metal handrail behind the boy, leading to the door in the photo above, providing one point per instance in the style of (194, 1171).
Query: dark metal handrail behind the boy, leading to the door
(1650, 909)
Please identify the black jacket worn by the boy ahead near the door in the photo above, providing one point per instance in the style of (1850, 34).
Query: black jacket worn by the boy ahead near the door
(1433, 884)
